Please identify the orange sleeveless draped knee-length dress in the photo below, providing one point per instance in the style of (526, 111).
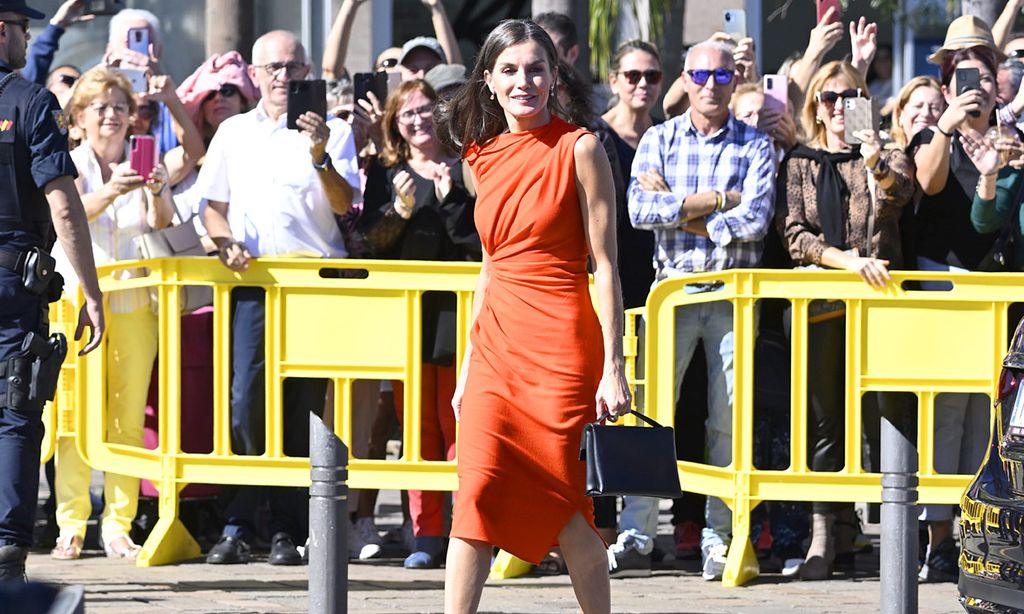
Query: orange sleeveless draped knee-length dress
(538, 352)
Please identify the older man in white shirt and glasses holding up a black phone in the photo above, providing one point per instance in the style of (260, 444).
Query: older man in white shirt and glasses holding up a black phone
(273, 192)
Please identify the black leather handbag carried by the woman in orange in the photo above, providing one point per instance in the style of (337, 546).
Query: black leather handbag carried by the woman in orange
(631, 461)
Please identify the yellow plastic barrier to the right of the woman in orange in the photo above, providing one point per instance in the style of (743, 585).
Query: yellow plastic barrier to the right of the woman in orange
(926, 343)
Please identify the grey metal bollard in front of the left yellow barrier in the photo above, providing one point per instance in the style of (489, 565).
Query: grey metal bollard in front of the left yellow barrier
(328, 520)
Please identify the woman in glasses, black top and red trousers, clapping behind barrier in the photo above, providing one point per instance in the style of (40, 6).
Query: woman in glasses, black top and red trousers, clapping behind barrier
(416, 207)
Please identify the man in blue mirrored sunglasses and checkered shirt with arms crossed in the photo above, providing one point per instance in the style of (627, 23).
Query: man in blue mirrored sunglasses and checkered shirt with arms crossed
(704, 183)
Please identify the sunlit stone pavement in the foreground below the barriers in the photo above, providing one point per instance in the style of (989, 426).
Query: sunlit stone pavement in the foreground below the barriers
(383, 586)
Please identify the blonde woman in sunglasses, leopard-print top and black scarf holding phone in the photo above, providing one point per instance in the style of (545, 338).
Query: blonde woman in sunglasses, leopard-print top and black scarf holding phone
(840, 208)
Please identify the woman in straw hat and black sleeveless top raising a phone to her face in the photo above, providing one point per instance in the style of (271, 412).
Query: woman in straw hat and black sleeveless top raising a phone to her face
(945, 240)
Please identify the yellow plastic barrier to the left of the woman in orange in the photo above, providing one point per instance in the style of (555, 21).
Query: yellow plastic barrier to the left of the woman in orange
(343, 321)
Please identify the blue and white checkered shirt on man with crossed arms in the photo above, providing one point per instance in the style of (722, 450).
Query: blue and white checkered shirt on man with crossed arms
(738, 158)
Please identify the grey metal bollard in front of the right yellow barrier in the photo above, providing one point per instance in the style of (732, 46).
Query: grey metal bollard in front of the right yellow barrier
(899, 564)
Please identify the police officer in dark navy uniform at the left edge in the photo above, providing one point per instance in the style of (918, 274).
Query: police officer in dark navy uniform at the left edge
(38, 199)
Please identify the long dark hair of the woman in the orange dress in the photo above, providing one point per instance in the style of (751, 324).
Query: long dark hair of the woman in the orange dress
(471, 117)
